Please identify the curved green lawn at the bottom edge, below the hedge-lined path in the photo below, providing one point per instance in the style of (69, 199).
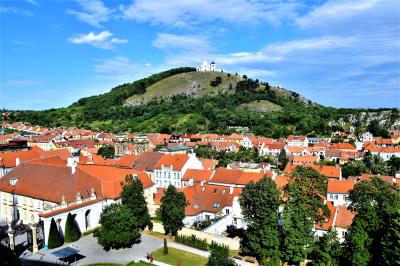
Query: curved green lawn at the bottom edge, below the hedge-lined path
(186, 258)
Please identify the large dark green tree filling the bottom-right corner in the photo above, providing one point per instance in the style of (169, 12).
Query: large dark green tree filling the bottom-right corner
(372, 238)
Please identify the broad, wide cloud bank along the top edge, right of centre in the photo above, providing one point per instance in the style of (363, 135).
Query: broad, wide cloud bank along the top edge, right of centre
(189, 12)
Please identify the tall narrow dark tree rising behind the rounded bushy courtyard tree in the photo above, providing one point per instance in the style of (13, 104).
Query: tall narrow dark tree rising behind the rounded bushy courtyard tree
(132, 196)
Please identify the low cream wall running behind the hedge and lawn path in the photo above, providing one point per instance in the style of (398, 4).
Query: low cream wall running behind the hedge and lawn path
(232, 243)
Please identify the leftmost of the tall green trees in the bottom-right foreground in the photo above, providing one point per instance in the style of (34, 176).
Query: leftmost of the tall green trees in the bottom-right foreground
(260, 202)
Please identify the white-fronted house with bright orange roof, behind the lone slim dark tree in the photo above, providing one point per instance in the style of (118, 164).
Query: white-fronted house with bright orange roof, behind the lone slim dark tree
(170, 169)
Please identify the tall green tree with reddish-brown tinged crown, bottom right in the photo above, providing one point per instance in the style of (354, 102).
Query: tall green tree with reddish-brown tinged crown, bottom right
(303, 208)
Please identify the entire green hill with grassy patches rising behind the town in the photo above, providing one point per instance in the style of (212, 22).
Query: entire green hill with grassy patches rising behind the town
(182, 100)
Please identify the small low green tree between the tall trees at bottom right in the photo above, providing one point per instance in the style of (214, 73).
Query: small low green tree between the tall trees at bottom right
(327, 251)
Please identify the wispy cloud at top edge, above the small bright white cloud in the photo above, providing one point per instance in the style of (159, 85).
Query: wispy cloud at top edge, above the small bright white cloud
(93, 12)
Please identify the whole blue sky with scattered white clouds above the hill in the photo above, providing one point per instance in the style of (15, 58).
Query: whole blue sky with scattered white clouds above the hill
(335, 52)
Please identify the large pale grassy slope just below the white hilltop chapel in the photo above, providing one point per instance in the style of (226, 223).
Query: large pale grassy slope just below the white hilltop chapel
(191, 83)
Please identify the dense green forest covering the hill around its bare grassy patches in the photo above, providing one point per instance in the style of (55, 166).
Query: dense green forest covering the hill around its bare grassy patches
(185, 114)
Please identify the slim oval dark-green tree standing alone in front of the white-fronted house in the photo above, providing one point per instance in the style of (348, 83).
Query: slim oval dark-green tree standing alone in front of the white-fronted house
(172, 210)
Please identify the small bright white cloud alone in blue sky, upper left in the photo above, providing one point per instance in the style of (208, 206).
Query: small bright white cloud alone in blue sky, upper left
(102, 40)
